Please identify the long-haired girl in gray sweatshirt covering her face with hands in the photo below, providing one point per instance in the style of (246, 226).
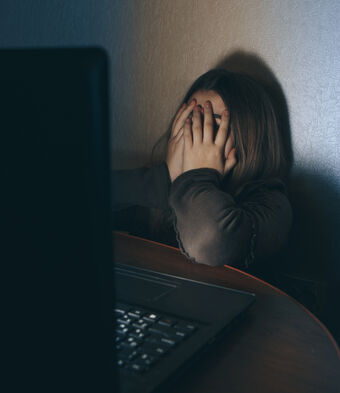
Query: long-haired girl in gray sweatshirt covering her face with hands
(218, 194)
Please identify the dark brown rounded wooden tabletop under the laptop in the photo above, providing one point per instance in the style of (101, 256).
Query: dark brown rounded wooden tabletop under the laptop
(279, 347)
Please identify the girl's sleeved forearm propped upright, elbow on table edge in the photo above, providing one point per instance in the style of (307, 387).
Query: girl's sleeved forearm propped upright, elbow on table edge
(210, 227)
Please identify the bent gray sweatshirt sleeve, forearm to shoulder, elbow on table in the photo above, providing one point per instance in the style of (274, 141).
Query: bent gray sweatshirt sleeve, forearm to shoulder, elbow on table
(215, 229)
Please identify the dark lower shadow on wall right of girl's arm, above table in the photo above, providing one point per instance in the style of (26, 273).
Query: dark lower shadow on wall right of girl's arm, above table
(312, 260)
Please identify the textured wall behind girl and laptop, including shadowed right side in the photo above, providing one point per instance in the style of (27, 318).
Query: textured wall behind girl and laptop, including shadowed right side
(158, 47)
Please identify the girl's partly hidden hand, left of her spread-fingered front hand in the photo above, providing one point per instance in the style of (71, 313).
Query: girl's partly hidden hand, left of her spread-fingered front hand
(174, 158)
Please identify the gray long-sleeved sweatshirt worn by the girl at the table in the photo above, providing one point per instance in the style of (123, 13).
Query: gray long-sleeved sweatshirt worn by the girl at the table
(209, 225)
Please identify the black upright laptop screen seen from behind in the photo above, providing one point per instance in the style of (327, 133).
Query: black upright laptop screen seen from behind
(56, 258)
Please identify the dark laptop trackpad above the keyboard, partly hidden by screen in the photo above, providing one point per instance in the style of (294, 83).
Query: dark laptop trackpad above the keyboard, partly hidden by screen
(135, 287)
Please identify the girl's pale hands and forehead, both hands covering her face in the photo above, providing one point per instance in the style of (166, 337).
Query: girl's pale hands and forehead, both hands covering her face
(195, 142)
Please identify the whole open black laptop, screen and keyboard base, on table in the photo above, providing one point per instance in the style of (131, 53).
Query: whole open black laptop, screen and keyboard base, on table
(75, 320)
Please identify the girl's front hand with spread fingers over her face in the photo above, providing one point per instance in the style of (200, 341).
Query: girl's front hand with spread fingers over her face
(200, 148)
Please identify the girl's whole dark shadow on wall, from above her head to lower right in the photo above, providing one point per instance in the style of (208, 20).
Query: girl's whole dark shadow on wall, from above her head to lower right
(310, 264)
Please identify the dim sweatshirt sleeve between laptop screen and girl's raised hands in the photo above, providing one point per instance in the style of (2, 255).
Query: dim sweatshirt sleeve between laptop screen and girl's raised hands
(147, 187)
